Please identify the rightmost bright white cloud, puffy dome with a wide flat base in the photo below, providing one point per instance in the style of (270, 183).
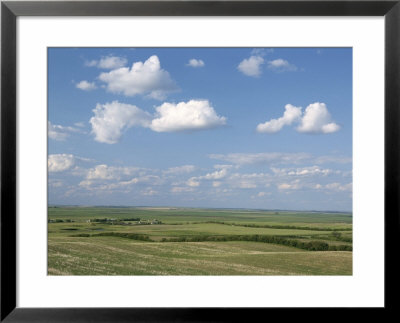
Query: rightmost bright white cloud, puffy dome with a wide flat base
(316, 119)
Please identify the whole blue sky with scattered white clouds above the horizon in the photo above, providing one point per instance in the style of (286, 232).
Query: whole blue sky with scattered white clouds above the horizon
(263, 128)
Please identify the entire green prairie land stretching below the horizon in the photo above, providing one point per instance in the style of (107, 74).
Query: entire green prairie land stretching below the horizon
(187, 241)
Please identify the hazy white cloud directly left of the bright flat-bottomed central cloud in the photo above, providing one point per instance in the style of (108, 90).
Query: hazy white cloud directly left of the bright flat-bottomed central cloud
(111, 119)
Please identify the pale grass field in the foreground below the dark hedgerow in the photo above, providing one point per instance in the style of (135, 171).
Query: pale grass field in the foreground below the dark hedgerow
(119, 256)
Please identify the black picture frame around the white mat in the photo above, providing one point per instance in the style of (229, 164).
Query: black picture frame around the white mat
(10, 10)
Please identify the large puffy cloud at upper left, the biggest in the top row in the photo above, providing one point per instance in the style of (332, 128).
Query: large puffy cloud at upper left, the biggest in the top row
(142, 78)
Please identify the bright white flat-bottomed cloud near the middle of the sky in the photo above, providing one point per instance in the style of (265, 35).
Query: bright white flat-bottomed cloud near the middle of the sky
(186, 116)
